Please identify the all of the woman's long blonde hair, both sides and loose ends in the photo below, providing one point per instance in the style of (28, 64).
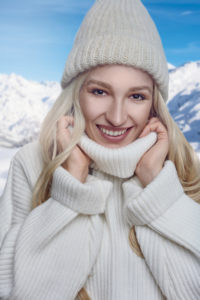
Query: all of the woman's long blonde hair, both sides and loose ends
(180, 151)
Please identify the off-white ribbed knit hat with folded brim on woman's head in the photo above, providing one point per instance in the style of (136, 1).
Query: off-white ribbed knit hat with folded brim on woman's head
(118, 32)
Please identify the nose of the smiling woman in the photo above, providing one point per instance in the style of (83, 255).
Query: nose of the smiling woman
(116, 115)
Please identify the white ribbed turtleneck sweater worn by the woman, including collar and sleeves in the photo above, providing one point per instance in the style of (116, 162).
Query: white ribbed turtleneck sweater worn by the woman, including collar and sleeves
(79, 236)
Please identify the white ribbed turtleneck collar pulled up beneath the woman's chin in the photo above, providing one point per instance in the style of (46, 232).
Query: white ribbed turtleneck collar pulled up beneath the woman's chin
(120, 162)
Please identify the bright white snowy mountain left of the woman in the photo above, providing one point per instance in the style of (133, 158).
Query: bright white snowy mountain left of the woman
(23, 105)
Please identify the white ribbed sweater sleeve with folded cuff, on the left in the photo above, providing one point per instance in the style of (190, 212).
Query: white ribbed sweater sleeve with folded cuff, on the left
(49, 250)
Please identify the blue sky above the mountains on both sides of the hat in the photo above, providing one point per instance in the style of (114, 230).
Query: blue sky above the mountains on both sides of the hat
(37, 35)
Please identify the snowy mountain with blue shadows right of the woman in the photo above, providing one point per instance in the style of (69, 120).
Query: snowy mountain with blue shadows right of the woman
(184, 100)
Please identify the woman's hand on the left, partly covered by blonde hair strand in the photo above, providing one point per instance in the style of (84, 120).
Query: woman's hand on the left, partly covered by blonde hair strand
(77, 163)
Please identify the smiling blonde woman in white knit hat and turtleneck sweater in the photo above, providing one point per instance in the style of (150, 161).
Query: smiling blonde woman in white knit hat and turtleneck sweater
(106, 206)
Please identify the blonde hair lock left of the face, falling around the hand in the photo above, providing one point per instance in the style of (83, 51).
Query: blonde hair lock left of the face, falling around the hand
(66, 104)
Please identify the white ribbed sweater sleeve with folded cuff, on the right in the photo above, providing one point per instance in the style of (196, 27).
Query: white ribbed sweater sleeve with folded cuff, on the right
(167, 226)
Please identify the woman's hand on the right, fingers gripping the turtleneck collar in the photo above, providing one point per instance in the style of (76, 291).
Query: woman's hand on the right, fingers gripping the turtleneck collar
(152, 161)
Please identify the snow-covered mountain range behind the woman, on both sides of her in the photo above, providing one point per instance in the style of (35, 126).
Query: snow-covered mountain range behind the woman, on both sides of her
(24, 103)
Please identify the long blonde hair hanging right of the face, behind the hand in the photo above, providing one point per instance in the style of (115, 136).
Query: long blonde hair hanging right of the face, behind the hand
(180, 152)
